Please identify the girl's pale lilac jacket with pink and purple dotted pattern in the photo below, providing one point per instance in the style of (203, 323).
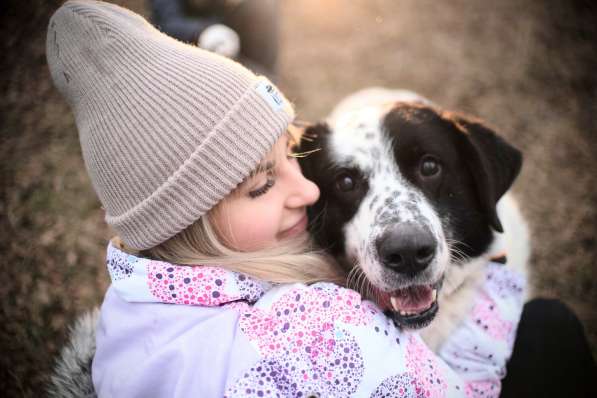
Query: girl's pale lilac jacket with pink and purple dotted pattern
(194, 331)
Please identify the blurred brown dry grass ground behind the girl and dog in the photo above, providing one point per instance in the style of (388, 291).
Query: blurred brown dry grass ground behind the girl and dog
(527, 67)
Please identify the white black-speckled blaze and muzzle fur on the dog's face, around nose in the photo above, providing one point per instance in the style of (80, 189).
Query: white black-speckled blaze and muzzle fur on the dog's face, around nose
(359, 140)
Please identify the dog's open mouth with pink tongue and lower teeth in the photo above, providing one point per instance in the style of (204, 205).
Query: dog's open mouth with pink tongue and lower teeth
(414, 306)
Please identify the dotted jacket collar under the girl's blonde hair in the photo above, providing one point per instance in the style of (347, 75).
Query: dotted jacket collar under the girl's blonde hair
(138, 279)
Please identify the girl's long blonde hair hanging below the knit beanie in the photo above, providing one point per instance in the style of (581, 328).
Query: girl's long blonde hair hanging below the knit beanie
(293, 260)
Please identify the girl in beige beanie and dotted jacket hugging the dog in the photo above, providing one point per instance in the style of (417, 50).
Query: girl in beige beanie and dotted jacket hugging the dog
(190, 156)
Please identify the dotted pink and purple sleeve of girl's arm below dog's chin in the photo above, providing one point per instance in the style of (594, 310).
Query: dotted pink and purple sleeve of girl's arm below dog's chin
(325, 340)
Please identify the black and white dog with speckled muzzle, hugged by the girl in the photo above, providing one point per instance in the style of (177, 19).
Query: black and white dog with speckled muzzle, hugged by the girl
(413, 204)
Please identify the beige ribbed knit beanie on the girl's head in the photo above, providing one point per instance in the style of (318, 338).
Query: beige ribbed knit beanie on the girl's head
(167, 130)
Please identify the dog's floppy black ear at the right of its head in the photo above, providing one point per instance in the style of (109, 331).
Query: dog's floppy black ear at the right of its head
(493, 163)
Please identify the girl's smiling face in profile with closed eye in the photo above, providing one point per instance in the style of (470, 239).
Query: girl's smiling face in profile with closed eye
(269, 206)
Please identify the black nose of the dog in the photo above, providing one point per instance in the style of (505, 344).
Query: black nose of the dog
(406, 248)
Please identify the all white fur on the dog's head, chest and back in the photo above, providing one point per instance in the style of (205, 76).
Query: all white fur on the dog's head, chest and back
(358, 139)
